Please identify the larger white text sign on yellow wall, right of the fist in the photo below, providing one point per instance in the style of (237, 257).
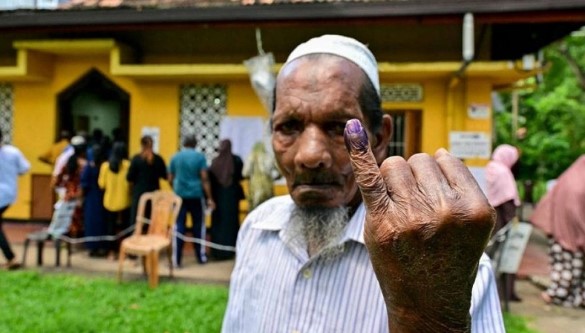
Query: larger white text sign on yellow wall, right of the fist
(470, 145)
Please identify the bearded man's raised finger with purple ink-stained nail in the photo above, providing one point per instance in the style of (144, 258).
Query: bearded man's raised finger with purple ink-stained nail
(365, 169)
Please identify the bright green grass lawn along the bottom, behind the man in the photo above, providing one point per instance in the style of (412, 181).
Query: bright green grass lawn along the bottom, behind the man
(32, 302)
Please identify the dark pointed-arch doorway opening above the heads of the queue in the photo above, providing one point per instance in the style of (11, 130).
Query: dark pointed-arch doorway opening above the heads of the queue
(94, 102)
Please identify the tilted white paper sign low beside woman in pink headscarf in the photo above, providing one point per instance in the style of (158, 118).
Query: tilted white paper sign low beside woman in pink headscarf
(514, 247)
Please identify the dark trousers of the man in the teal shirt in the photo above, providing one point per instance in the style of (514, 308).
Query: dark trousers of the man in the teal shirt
(194, 207)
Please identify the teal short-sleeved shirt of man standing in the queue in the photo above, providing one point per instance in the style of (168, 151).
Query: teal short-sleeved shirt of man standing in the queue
(186, 167)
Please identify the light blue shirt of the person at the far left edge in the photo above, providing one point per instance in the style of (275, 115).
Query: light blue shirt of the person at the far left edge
(12, 164)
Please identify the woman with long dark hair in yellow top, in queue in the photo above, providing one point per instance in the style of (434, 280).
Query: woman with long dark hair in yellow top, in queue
(116, 188)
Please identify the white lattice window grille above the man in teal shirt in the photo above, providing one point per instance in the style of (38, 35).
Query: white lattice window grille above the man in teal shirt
(202, 107)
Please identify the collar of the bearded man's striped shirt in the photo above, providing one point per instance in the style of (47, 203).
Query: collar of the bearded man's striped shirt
(277, 221)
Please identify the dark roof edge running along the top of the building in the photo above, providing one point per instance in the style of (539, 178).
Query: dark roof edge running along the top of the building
(535, 11)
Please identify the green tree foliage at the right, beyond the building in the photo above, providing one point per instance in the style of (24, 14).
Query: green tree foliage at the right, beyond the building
(553, 113)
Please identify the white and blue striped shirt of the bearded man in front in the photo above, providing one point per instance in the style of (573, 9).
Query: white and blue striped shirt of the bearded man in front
(277, 287)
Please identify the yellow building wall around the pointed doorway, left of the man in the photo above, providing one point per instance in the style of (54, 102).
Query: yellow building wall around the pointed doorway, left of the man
(152, 104)
